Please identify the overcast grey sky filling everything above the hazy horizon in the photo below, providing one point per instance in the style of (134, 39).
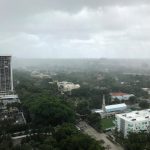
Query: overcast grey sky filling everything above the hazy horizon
(75, 28)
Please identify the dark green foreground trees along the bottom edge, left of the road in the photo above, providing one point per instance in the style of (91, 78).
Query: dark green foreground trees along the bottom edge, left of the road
(65, 137)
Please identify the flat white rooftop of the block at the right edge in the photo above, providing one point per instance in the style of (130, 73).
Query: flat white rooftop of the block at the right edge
(142, 115)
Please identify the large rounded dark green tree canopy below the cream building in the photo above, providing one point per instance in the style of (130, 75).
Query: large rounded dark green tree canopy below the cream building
(51, 111)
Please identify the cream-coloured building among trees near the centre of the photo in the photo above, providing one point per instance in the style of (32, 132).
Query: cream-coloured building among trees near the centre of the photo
(67, 86)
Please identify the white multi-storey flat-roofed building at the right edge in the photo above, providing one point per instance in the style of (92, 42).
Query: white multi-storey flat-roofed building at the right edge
(135, 121)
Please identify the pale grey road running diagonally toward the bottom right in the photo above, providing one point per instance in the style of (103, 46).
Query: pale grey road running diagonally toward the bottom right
(98, 136)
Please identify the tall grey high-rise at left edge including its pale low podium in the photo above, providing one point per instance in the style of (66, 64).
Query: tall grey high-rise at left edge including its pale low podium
(6, 82)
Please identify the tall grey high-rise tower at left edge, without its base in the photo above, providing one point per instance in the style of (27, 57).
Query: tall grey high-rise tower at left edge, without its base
(6, 77)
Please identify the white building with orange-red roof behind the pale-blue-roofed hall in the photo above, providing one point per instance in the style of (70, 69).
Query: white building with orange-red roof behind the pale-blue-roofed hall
(121, 96)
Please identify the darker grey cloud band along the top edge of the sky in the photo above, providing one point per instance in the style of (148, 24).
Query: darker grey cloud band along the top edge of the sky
(23, 8)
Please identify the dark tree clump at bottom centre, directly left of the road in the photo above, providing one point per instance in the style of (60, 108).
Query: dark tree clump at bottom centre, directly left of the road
(69, 138)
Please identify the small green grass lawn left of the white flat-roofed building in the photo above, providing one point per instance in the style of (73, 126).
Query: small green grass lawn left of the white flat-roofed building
(107, 123)
